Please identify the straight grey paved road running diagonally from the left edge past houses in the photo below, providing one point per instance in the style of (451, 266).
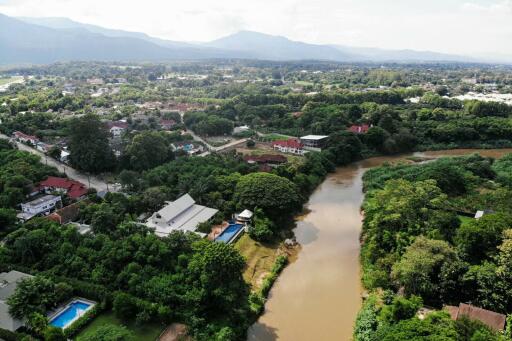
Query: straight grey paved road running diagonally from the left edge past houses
(72, 173)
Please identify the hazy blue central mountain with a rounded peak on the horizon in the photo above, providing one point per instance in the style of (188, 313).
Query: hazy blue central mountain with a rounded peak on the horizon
(264, 46)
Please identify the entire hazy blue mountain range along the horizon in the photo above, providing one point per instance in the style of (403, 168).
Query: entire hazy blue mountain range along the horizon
(47, 40)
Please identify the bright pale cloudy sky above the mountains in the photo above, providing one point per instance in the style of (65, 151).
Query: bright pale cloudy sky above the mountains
(464, 27)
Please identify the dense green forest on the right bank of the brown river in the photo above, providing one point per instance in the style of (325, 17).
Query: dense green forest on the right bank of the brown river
(422, 247)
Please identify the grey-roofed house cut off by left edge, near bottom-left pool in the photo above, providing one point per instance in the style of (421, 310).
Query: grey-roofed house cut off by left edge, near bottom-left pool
(8, 283)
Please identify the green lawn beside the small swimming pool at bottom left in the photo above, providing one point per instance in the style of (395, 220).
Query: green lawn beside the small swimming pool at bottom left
(147, 332)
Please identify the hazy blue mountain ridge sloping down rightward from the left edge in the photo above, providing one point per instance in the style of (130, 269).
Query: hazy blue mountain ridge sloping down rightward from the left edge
(21, 42)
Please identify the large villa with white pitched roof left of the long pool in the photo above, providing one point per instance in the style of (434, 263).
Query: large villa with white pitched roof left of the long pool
(183, 214)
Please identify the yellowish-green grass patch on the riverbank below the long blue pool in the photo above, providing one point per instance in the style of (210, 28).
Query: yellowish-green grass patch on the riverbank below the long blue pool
(260, 259)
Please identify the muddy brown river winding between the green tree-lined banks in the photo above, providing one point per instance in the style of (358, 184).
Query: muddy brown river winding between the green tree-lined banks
(317, 297)
